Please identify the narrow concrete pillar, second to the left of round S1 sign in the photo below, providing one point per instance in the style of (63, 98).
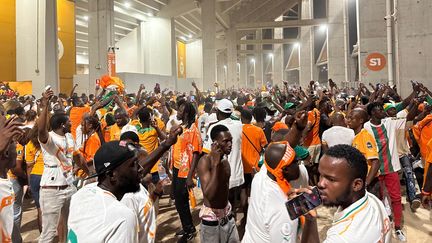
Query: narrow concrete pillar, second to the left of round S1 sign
(307, 58)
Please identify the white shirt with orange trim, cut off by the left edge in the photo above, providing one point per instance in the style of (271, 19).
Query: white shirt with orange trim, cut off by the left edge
(6, 212)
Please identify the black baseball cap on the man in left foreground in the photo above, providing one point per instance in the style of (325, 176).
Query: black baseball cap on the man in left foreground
(111, 155)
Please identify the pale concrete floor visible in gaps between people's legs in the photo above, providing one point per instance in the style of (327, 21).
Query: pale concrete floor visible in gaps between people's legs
(417, 226)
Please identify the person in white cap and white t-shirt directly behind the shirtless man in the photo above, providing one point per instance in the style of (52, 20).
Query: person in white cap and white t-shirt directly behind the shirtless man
(224, 110)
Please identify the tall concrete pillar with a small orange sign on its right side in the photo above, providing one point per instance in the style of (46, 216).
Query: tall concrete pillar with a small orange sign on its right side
(101, 37)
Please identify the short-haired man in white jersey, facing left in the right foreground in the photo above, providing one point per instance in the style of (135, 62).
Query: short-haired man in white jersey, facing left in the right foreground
(360, 217)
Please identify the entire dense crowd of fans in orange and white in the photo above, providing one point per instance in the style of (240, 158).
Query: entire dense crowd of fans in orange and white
(96, 165)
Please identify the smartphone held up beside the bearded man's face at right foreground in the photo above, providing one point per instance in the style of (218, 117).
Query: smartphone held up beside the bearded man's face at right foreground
(303, 203)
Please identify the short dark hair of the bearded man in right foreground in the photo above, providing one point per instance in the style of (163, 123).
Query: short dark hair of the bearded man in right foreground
(355, 159)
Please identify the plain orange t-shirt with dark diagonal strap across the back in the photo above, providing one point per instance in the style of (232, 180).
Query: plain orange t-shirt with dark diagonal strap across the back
(250, 155)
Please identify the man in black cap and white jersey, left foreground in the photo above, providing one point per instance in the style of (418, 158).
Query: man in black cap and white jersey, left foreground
(96, 213)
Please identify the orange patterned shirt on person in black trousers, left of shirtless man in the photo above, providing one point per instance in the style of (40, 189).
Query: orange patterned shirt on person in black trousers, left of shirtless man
(187, 143)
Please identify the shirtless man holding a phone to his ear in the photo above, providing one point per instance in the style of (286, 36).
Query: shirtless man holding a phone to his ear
(217, 219)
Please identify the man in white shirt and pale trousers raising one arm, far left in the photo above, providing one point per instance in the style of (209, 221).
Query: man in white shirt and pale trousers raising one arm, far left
(57, 180)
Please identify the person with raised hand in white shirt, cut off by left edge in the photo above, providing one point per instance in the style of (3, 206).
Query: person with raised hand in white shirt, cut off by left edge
(8, 130)
